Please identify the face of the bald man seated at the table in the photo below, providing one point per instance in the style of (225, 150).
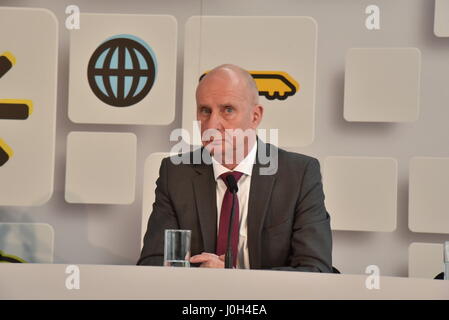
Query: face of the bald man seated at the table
(224, 103)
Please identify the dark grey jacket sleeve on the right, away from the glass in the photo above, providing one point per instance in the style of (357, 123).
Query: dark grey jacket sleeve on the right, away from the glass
(311, 243)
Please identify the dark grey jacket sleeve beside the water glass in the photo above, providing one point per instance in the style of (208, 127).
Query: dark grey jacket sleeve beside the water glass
(162, 217)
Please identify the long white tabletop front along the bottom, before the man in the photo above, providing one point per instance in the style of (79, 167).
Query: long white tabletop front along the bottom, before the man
(48, 281)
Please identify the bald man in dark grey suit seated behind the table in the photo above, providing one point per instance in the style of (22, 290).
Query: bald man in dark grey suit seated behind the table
(281, 221)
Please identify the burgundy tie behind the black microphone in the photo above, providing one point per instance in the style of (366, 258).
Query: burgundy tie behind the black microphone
(225, 216)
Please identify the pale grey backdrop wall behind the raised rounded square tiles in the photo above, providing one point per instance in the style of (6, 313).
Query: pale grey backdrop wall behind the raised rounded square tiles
(110, 234)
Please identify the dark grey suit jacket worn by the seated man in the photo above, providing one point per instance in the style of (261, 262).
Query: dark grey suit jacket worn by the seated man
(288, 225)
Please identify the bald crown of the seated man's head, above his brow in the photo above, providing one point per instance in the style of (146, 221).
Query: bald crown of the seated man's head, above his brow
(235, 76)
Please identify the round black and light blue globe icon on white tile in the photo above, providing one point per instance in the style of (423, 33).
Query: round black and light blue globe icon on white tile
(122, 70)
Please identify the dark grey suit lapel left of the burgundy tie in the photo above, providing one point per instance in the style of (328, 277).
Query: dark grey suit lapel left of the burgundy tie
(204, 186)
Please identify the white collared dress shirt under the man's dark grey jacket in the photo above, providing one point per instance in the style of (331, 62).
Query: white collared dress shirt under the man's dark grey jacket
(244, 183)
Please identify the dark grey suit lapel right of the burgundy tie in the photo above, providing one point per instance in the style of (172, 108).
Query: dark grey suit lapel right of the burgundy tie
(259, 198)
